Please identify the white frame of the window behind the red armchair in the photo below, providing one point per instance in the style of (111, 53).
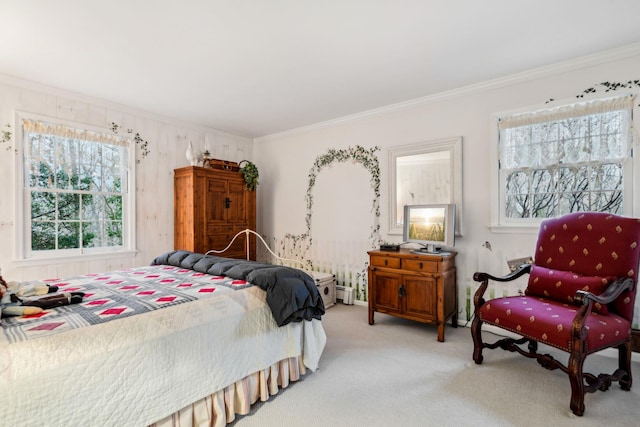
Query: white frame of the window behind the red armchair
(631, 166)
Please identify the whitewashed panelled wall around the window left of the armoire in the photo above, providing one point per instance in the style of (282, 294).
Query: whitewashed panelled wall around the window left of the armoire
(154, 193)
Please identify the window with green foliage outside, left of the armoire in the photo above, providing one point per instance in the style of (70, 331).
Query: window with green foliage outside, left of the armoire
(76, 198)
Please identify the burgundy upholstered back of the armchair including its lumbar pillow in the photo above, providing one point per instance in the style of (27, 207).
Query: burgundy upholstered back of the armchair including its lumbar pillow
(586, 250)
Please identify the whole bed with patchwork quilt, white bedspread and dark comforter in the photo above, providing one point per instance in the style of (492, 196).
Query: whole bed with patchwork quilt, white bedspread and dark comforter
(192, 339)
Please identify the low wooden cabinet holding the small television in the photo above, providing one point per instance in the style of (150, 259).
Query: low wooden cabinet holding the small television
(419, 287)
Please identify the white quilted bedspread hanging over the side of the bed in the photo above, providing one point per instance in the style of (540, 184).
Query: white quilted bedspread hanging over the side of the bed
(136, 370)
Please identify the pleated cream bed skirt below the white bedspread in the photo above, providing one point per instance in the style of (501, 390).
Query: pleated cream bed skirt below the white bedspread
(221, 407)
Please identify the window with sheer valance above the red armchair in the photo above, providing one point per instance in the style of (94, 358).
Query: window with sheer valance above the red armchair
(577, 157)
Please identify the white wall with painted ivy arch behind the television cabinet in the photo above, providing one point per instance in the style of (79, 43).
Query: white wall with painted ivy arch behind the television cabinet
(284, 160)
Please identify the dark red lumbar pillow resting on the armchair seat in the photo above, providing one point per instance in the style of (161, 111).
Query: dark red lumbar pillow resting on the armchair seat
(562, 285)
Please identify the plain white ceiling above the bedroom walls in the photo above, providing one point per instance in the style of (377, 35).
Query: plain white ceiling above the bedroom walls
(259, 67)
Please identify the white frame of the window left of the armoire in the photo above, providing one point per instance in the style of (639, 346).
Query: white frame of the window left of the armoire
(23, 253)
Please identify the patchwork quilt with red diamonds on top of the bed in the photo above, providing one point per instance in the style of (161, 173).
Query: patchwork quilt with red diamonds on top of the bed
(116, 295)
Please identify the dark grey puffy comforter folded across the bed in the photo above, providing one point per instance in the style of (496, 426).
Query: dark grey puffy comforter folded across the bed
(292, 294)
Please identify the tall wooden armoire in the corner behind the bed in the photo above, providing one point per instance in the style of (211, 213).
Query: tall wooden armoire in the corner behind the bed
(210, 207)
